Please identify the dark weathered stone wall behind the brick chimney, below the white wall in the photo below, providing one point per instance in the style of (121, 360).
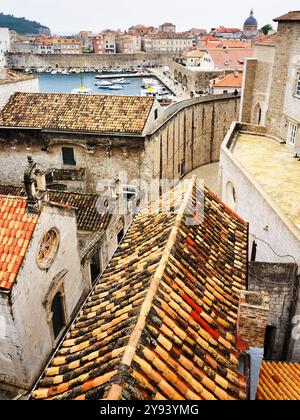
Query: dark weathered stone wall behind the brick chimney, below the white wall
(277, 280)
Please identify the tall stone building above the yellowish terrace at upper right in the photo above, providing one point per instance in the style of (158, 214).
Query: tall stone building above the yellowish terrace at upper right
(272, 82)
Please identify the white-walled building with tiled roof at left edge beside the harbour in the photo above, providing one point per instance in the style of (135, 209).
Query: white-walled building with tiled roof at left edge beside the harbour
(11, 82)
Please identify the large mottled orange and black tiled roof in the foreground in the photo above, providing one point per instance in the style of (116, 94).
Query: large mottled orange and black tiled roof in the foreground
(161, 322)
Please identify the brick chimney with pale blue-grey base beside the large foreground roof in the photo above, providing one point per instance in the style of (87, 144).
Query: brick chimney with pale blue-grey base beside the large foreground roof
(253, 317)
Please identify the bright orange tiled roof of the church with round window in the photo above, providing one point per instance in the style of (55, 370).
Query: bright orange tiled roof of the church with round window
(16, 230)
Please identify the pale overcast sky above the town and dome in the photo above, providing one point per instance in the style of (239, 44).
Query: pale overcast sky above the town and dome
(72, 16)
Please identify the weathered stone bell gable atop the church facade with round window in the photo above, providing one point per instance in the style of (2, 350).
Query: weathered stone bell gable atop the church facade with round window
(35, 186)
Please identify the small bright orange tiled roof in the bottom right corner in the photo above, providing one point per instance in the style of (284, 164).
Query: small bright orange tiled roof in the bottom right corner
(279, 381)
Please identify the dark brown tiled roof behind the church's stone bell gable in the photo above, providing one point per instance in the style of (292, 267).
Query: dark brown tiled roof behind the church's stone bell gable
(91, 209)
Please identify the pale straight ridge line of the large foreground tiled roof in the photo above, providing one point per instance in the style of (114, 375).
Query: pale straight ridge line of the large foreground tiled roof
(130, 350)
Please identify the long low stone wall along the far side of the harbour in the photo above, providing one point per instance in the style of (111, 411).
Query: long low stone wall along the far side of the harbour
(27, 60)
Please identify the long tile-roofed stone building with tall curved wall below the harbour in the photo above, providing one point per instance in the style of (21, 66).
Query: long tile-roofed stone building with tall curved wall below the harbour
(89, 138)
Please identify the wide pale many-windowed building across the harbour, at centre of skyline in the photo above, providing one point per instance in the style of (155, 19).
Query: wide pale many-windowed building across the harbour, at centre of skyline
(167, 42)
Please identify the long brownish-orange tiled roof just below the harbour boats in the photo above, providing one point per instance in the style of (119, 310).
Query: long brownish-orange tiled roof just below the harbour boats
(67, 112)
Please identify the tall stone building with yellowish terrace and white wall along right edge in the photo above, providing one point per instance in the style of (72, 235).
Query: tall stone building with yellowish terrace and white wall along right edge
(258, 165)
